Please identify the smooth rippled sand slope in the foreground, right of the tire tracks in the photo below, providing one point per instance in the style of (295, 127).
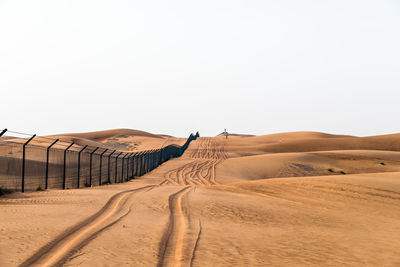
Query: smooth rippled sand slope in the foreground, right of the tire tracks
(328, 221)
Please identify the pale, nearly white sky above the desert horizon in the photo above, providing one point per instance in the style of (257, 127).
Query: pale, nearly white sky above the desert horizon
(175, 67)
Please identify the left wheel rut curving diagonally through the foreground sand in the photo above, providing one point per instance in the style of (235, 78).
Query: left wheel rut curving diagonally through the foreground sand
(61, 248)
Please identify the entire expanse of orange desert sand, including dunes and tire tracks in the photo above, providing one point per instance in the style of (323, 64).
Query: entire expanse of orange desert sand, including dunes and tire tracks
(291, 199)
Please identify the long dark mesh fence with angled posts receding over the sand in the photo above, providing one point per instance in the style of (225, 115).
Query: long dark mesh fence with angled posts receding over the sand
(40, 163)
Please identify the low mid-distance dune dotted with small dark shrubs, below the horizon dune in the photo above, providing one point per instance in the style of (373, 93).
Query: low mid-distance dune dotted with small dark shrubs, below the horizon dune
(308, 164)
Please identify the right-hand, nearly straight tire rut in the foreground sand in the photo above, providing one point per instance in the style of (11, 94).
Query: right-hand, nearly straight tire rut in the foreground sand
(173, 244)
